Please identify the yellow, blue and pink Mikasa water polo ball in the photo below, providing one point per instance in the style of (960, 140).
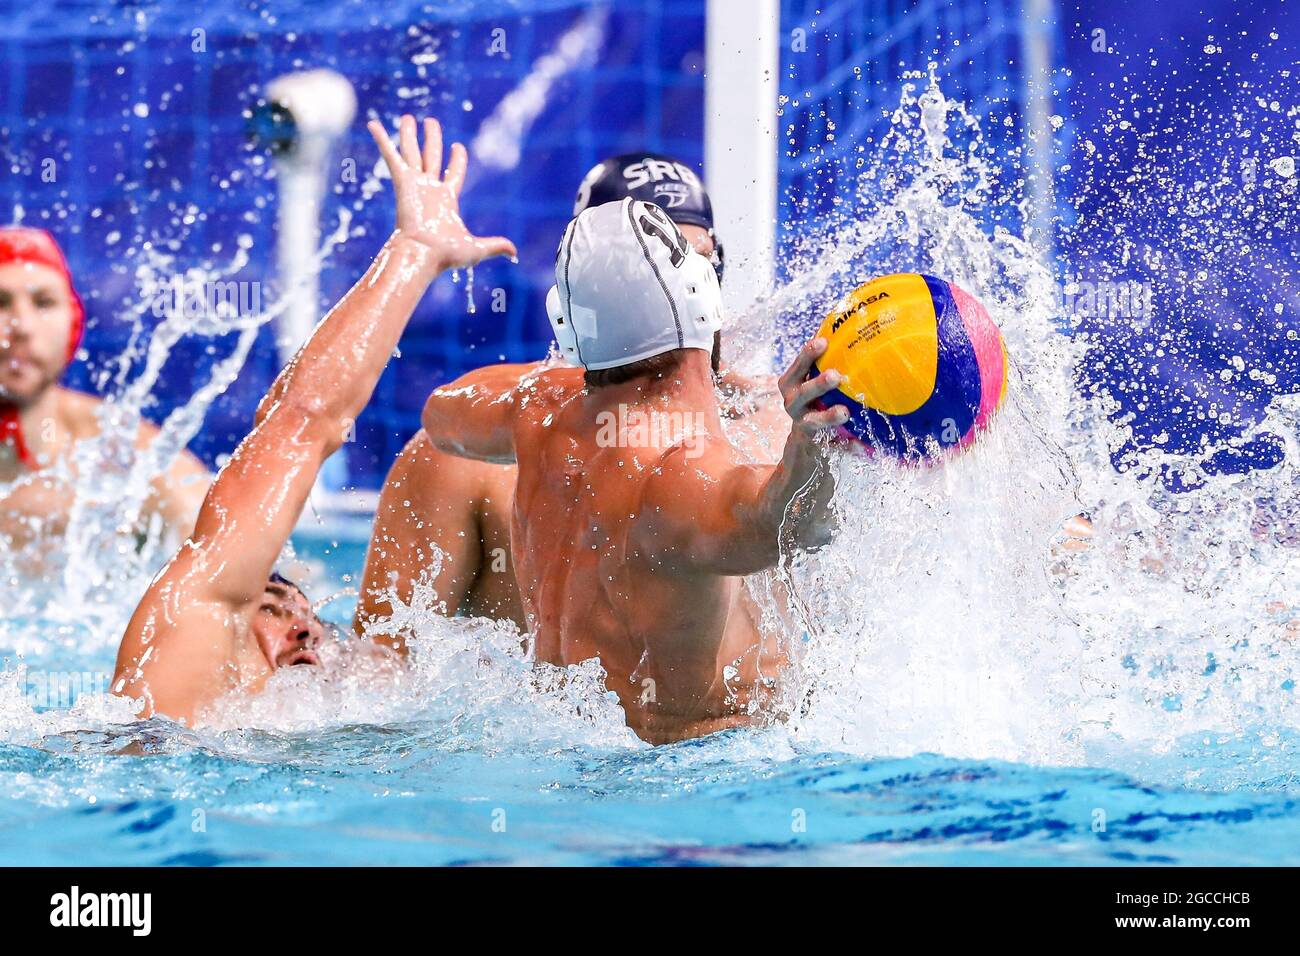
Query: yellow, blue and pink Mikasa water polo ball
(924, 366)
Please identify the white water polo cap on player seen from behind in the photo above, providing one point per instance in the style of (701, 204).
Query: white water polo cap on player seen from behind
(630, 287)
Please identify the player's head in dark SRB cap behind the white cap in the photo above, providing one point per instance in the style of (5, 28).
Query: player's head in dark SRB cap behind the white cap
(665, 181)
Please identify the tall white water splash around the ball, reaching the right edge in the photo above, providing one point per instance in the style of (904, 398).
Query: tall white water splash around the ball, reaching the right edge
(947, 617)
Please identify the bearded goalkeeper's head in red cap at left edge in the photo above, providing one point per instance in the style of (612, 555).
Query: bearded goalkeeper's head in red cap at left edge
(41, 314)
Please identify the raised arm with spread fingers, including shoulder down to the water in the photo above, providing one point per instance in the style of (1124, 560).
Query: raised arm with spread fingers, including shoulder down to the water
(222, 572)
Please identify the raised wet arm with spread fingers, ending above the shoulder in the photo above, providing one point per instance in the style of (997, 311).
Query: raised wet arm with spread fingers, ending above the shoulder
(314, 404)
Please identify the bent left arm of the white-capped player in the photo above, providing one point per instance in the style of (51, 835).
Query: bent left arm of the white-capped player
(474, 417)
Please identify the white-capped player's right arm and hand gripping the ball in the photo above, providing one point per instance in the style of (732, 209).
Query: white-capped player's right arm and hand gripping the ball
(717, 516)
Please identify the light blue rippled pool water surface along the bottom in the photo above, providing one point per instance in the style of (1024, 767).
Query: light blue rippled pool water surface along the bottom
(465, 791)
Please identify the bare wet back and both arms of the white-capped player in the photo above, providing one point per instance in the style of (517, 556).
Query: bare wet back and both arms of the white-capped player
(636, 555)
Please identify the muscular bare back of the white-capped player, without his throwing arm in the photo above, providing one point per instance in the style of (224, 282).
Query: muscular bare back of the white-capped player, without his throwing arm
(681, 647)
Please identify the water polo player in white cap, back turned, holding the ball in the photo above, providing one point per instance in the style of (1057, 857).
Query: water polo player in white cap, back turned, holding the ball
(635, 518)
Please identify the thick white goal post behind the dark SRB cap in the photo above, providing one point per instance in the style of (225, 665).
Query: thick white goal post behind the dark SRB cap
(742, 63)
